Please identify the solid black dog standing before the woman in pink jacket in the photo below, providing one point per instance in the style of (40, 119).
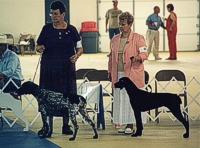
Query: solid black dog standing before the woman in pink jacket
(144, 101)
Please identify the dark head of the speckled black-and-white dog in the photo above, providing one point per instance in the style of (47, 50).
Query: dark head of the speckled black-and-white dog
(27, 88)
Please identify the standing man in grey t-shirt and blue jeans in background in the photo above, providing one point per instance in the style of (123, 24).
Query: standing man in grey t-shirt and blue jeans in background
(112, 20)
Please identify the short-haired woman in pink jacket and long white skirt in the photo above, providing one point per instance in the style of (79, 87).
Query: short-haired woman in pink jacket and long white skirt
(124, 46)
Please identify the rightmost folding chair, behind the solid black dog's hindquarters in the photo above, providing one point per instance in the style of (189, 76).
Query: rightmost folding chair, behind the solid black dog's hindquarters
(169, 76)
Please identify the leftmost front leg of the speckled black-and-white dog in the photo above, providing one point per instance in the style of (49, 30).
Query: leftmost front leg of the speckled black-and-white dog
(45, 127)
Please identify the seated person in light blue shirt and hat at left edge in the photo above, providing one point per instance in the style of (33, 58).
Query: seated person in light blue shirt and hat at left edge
(9, 66)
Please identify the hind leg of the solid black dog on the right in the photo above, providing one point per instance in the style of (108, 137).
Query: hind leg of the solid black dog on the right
(176, 111)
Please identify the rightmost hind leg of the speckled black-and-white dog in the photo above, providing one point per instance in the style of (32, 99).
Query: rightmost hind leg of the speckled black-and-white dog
(87, 119)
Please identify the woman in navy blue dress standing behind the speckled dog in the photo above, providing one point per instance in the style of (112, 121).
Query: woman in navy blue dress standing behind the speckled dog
(60, 45)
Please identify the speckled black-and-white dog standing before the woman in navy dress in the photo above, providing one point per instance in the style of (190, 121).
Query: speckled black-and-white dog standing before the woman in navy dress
(50, 102)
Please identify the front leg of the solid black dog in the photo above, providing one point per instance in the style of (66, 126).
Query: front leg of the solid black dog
(139, 125)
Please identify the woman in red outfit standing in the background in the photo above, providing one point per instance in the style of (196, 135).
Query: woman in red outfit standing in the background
(171, 27)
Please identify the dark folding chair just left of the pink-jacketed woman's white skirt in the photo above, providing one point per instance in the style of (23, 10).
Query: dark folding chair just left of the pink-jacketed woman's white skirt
(102, 76)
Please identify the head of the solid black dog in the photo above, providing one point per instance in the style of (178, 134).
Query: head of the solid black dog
(125, 82)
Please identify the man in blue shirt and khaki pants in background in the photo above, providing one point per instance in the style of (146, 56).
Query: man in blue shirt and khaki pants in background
(154, 22)
